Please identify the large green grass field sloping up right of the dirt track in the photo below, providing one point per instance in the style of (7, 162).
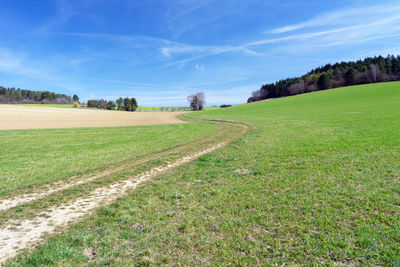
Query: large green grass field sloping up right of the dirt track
(316, 181)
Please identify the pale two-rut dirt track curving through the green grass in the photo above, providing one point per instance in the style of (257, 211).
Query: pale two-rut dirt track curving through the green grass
(16, 235)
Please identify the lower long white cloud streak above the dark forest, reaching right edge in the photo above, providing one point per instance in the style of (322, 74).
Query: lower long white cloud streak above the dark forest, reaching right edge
(384, 28)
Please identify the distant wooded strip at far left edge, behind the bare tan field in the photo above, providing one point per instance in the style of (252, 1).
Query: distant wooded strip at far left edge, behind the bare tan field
(23, 96)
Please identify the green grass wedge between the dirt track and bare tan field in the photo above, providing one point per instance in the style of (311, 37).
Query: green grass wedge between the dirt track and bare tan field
(34, 157)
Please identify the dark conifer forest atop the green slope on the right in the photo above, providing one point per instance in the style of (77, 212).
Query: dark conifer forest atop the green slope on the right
(369, 70)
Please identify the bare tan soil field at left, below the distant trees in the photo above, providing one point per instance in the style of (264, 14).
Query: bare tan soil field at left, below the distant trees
(23, 117)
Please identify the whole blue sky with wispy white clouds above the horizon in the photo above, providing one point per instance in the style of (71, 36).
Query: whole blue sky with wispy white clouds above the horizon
(160, 51)
